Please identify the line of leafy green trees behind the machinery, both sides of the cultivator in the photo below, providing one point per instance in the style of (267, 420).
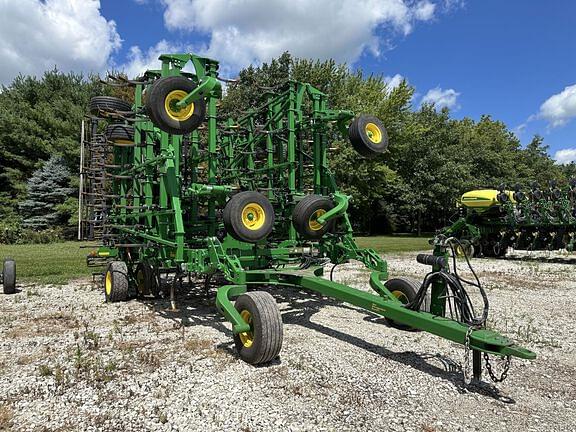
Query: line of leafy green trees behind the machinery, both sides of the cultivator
(432, 159)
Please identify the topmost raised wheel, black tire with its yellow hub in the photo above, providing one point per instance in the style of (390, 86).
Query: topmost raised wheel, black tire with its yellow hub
(160, 105)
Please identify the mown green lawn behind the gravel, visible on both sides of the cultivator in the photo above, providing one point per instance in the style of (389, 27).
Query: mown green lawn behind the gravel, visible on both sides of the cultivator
(58, 263)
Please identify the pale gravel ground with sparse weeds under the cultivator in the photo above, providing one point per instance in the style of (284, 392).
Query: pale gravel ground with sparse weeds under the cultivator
(68, 361)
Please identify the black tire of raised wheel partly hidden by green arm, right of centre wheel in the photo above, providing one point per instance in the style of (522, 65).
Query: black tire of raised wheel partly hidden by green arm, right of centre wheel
(305, 212)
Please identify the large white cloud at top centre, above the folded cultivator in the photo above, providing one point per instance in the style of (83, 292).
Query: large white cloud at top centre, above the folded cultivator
(253, 31)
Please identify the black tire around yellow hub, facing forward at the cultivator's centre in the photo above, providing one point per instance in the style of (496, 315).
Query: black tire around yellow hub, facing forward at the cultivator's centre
(232, 216)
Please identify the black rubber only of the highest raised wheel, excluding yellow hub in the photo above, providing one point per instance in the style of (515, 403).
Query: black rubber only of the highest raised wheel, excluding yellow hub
(156, 110)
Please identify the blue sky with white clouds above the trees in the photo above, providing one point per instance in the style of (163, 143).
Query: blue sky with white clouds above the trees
(510, 59)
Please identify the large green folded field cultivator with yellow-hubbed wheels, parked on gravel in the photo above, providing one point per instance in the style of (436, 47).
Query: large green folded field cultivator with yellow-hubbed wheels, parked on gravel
(173, 190)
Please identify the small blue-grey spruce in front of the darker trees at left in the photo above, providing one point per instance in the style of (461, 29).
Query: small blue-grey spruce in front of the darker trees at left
(47, 191)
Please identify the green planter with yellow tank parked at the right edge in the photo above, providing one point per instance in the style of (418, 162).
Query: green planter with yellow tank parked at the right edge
(491, 221)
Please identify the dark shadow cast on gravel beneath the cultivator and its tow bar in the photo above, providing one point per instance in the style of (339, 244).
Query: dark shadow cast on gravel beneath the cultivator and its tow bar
(195, 306)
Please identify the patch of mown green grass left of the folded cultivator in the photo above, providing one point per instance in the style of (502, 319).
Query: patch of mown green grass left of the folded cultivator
(55, 263)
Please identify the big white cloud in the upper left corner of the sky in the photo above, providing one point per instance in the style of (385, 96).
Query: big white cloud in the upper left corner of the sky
(37, 35)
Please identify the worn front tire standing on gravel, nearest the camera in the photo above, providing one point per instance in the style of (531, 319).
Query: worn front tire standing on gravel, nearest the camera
(266, 325)
